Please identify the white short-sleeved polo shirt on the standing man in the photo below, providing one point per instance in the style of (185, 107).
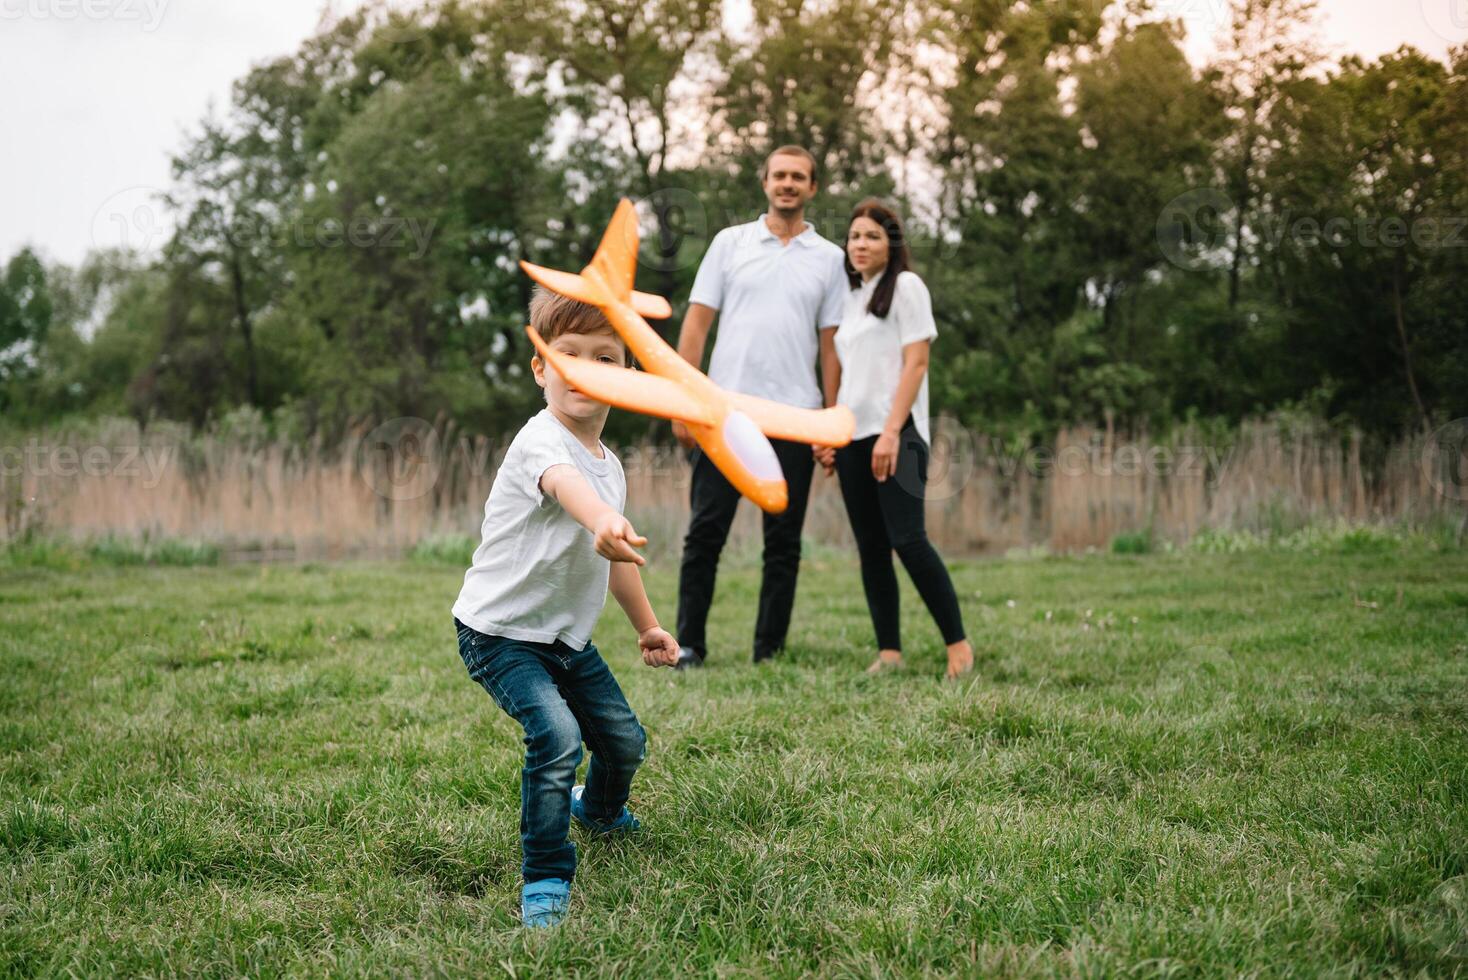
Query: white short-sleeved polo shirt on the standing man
(773, 300)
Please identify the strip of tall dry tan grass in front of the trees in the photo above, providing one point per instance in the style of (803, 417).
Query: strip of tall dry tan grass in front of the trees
(378, 495)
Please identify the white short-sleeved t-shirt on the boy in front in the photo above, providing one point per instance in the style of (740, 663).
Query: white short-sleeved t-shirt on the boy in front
(537, 574)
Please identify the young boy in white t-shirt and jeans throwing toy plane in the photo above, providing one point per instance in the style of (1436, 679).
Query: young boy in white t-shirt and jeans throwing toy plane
(554, 539)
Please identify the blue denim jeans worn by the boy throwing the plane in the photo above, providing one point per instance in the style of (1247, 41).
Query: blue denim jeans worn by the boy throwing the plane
(562, 698)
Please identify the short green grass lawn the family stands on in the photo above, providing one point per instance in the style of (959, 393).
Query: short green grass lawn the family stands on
(1165, 765)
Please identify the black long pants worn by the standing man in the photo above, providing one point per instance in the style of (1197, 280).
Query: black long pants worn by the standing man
(714, 505)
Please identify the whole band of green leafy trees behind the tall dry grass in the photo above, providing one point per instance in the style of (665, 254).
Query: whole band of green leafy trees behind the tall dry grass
(349, 227)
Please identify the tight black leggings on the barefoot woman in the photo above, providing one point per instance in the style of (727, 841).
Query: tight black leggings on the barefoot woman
(889, 517)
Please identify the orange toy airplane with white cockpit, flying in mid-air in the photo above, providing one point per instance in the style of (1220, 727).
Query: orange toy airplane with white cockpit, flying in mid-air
(732, 429)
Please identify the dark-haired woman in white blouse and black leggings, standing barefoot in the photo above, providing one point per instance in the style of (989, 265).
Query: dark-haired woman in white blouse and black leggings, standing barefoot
(883, 351)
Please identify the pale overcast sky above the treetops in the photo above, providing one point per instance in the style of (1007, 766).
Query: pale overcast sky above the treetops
(98, 95)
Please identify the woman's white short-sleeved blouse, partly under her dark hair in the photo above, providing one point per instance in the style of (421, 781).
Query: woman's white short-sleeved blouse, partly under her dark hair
(871, 353)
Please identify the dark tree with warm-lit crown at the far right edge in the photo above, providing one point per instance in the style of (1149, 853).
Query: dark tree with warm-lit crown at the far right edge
(1366, 209)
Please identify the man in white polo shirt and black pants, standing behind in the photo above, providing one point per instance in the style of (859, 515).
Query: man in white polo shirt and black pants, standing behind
(779, 290)
